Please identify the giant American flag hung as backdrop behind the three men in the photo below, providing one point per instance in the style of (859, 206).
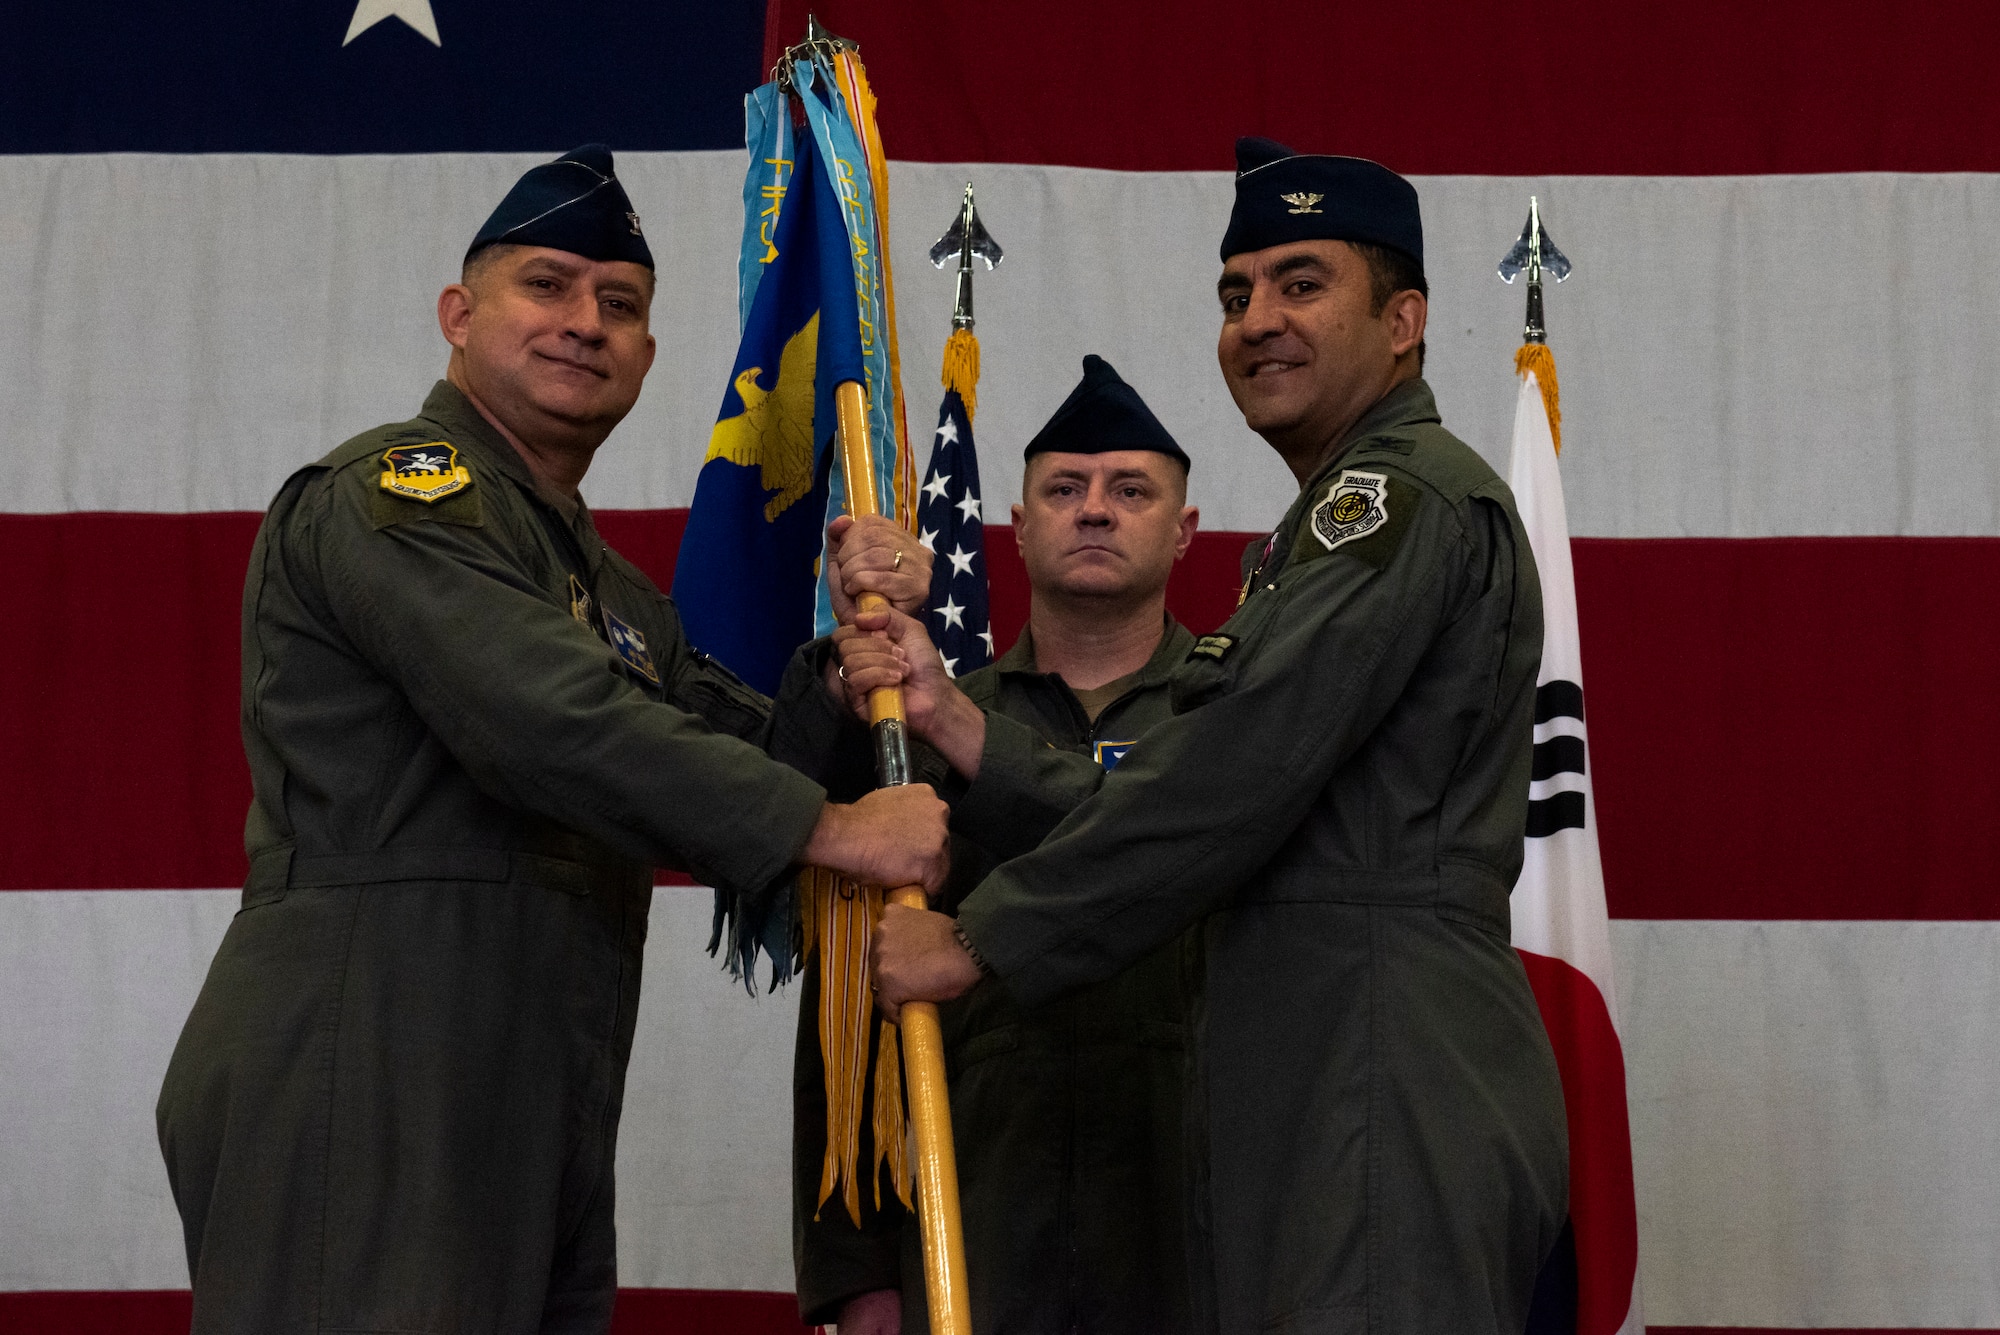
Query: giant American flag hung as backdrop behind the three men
(221, 239)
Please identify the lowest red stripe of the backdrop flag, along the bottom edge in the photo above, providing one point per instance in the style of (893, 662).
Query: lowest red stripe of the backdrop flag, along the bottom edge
(641, 1312)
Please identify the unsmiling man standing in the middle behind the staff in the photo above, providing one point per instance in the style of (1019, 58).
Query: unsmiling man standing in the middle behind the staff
(1067, 1116)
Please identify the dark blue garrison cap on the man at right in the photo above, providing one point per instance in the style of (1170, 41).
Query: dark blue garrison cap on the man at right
(1285, 197)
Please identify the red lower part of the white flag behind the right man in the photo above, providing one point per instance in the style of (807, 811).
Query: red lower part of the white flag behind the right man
(1603, 1210)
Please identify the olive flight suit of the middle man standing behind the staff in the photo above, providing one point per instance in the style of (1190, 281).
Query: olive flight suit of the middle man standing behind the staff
(1067, 1118)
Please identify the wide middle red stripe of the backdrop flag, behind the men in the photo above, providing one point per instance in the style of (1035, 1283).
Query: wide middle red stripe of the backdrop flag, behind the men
(1781, 728)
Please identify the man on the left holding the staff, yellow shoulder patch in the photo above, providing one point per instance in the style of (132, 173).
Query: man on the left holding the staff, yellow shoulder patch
(473, 732)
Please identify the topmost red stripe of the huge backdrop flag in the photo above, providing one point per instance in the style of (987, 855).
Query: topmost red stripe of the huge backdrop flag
(1693, 89)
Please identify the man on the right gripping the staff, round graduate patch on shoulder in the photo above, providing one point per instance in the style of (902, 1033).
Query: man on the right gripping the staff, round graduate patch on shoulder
(1339, 802)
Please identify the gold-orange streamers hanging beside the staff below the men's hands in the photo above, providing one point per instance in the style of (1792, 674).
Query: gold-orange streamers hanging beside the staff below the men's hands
(839, 918)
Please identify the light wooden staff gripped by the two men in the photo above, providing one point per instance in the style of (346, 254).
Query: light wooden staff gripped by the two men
(923, 1038)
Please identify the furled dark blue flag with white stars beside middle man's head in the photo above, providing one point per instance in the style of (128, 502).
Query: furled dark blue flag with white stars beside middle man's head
(949, 523)
